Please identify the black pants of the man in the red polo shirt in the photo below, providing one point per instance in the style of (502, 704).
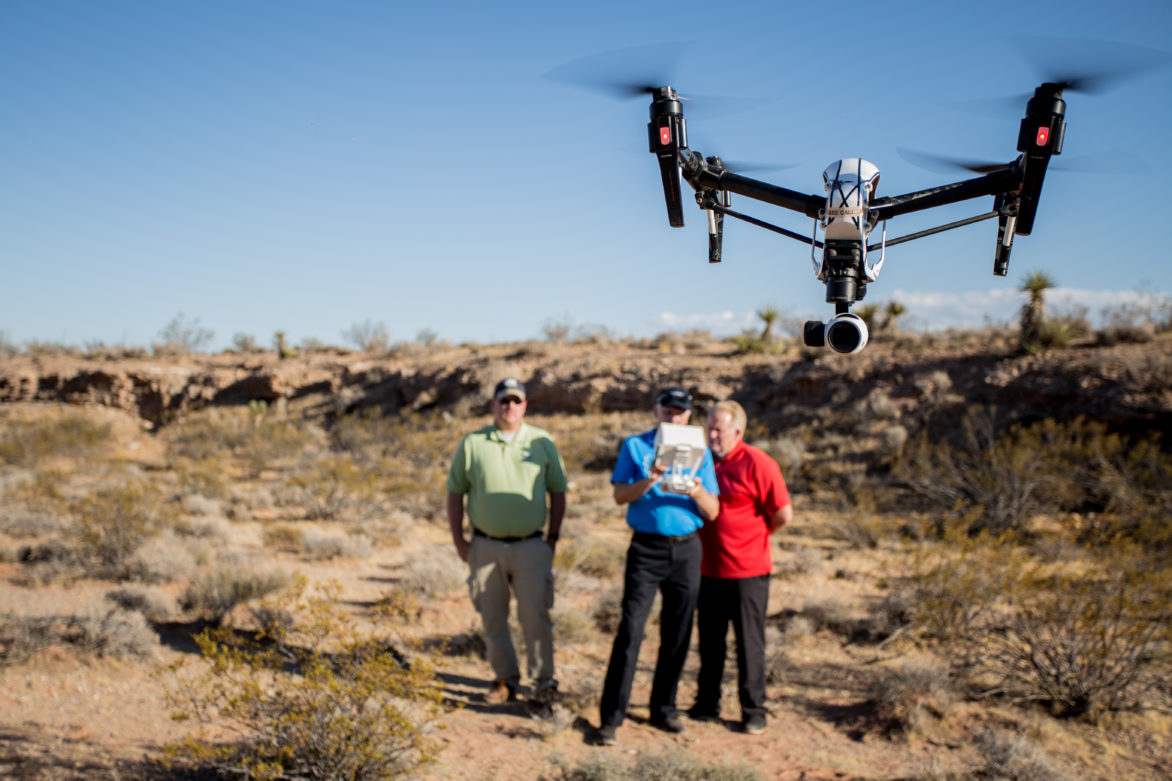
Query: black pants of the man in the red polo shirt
(744, 602)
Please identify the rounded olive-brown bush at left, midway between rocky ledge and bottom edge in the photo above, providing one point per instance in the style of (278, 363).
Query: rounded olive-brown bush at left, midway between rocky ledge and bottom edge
(114, 522)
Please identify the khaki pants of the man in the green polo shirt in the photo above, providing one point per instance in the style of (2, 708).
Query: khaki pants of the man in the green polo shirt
(527, 567)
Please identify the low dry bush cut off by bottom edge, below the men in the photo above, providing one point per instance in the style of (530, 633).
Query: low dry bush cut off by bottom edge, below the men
(672, 765)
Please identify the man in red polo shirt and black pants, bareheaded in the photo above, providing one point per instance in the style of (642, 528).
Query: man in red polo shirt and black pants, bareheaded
(737, 567)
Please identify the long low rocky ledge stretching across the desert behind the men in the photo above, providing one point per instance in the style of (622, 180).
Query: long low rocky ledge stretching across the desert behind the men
(1127, 384)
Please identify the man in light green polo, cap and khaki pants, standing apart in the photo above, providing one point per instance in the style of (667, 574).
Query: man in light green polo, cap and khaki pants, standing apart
(506, 471)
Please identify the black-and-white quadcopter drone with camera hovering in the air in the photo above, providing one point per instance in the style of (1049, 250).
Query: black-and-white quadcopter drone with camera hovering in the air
(849, 210)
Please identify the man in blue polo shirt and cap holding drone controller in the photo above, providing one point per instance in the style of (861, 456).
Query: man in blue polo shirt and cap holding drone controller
(664, 556)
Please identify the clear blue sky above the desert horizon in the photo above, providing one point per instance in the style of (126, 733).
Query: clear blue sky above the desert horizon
(305, 167)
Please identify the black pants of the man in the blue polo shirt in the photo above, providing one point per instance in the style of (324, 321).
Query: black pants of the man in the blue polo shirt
(673, 569)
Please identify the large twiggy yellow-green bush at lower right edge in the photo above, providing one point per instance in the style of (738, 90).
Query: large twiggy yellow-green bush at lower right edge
(1086, 641)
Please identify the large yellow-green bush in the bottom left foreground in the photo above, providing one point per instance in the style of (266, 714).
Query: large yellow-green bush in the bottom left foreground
(310, 698)
